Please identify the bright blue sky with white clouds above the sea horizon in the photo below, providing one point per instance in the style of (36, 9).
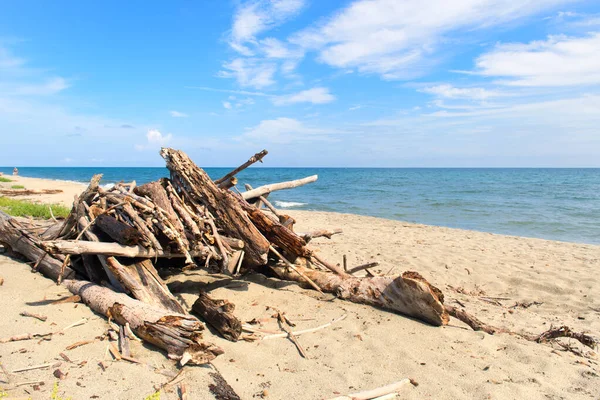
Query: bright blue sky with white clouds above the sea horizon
(363, 83)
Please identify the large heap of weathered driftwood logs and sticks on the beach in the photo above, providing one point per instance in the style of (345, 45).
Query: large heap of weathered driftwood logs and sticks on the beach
(111, 247)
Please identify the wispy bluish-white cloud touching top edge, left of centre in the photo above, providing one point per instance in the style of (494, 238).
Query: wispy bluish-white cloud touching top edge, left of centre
(255, 17)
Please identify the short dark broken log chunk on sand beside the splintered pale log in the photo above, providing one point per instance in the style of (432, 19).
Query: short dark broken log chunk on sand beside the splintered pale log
(219, 315)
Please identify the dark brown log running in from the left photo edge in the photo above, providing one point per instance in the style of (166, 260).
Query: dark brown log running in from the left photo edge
(14, 236)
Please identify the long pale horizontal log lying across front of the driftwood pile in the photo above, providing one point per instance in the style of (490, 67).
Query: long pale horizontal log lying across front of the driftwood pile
(113, 249)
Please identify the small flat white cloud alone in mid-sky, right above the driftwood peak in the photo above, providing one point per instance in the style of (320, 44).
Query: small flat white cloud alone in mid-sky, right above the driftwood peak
(285, 130)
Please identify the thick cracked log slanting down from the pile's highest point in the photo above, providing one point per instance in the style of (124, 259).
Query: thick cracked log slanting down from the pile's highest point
(228, 214)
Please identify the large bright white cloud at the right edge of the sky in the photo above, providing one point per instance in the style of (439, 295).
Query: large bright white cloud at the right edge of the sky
(558, 61)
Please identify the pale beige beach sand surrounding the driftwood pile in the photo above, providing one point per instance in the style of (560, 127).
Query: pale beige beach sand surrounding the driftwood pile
(369, 348)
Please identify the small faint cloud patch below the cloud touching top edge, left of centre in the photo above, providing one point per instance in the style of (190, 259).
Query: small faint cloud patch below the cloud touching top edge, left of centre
(250, 72)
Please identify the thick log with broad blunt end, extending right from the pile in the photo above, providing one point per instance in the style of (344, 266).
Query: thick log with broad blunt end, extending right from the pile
(409, 294)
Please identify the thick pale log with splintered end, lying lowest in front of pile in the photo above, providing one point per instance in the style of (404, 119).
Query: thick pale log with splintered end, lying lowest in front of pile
(180, 335)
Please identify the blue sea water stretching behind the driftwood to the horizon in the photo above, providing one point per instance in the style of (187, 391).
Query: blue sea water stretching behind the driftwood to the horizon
(558, 204)
